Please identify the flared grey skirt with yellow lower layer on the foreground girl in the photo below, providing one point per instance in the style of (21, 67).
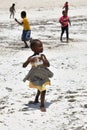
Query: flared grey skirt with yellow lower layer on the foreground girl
(39, 77)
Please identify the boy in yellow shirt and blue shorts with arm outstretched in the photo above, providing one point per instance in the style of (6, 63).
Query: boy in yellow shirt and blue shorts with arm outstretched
(26, 28)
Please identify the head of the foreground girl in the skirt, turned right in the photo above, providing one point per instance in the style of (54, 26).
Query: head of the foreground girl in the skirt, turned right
(36, 46)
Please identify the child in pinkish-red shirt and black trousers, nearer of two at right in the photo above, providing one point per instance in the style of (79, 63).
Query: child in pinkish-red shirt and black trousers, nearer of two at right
(64, 20)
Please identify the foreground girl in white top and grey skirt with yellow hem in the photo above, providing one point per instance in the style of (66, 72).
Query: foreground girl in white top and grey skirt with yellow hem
(39, 73)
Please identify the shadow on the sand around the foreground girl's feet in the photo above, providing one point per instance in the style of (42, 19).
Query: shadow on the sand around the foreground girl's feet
(34, 106)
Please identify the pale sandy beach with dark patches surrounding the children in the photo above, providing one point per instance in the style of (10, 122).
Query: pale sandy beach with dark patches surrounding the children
(66, 98)
